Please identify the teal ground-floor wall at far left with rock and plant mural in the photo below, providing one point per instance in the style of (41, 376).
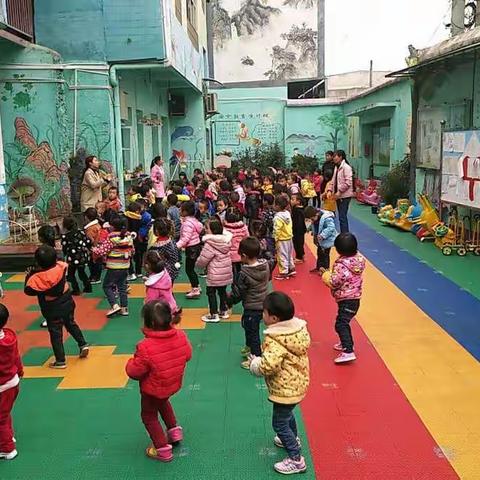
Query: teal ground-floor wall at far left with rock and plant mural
(37, 113)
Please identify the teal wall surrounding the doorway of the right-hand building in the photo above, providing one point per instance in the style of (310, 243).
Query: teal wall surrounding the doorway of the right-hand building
(399, 116)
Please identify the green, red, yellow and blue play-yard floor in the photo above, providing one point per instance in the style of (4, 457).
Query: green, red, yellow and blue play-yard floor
(408, 409)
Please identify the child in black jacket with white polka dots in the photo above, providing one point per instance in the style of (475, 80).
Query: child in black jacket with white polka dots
(76, 250)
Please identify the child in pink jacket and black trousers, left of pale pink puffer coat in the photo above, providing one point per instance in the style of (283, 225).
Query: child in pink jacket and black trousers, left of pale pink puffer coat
(190, 240)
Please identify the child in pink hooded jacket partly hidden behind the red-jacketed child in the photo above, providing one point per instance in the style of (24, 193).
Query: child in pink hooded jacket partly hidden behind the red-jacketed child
(158, 285)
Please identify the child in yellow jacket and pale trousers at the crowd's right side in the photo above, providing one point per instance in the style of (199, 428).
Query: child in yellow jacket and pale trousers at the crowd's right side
(283, 234)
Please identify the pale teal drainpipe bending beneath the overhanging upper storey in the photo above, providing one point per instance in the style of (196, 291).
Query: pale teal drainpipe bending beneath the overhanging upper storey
(116, 134)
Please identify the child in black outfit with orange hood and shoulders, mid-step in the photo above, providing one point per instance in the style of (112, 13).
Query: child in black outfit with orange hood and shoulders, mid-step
(48, 282)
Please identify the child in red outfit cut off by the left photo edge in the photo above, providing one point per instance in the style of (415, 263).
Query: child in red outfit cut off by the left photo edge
(11, 370)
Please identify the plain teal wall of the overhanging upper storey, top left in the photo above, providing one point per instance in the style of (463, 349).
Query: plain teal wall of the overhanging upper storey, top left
(101, 30)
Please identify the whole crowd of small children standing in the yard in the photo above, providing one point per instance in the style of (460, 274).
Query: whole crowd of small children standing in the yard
(231, 229)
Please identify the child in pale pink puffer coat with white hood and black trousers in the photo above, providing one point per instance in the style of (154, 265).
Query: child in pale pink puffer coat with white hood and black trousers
(215, 257)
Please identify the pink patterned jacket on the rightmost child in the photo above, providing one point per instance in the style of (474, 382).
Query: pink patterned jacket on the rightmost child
(346, 279)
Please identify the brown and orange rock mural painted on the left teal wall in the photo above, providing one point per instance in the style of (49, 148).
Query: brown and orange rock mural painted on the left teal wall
(33, 175)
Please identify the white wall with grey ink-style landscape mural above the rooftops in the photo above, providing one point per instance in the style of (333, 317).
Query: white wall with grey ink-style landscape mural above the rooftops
(265, 39)
